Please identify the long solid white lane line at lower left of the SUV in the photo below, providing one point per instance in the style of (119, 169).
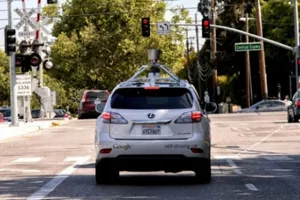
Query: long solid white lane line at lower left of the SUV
(52, 184)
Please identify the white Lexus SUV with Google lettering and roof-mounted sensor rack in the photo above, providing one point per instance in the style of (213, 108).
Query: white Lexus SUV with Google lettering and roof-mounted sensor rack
(153, 124)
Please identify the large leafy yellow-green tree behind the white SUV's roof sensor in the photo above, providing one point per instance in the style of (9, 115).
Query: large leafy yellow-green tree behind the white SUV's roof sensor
(100, 43)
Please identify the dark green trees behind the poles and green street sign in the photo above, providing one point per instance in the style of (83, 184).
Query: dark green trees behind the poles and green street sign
(277, 25)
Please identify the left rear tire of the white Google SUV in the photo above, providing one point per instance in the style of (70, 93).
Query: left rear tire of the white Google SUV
(105, 175)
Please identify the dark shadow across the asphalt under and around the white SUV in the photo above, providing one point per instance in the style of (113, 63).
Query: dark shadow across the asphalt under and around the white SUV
(225, 185)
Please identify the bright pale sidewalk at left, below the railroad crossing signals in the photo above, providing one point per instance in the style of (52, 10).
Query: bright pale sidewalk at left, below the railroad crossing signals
(7, 132)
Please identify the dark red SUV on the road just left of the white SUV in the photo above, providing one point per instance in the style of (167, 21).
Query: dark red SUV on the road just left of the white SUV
(88, 102)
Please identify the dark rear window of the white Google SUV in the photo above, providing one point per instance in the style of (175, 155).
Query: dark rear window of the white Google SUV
(163, 98)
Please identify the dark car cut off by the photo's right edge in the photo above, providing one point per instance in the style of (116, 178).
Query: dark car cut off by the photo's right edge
(293, 112)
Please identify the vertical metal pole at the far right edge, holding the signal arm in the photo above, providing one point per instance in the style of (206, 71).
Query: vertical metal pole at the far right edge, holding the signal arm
(296, 24)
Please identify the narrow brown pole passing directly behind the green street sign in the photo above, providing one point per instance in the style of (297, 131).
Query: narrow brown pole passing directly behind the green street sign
(248, 71)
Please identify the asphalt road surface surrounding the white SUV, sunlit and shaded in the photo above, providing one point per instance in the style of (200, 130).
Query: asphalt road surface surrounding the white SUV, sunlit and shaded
(255, 157)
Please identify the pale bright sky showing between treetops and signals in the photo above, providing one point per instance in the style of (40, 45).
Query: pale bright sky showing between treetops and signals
(190, 4)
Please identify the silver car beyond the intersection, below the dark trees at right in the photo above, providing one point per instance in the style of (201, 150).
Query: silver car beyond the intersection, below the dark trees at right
(266, 106)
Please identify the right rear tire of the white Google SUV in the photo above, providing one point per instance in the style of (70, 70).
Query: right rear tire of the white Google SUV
(203, 173)
